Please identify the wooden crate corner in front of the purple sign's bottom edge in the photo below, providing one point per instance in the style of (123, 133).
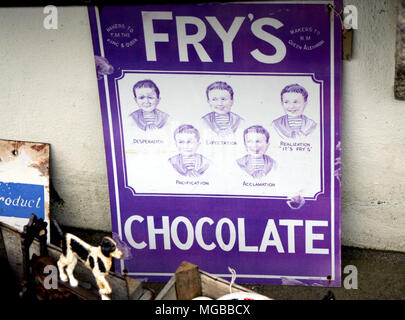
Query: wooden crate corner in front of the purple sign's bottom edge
(189, 282)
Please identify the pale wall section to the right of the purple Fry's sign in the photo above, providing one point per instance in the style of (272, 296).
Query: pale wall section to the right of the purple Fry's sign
(373, 134)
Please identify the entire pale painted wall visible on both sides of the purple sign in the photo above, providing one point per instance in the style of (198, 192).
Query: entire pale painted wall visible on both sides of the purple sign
(48, 93)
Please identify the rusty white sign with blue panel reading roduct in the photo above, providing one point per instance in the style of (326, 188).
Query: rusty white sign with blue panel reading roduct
(24, 182)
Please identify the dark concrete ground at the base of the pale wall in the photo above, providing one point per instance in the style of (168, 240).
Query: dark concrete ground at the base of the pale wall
(381, 276)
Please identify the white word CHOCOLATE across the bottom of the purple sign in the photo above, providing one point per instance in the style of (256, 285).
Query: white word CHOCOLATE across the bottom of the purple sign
(224, 236)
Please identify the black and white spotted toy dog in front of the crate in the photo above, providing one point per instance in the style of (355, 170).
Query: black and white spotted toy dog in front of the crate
(97, 259)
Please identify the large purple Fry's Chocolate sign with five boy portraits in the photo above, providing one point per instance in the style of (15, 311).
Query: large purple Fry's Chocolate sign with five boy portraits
(222, 135)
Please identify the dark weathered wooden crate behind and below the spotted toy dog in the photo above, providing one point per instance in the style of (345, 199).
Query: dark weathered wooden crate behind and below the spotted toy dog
(124, 288)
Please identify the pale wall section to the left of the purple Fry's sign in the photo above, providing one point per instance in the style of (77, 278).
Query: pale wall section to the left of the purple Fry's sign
(48, 93)
